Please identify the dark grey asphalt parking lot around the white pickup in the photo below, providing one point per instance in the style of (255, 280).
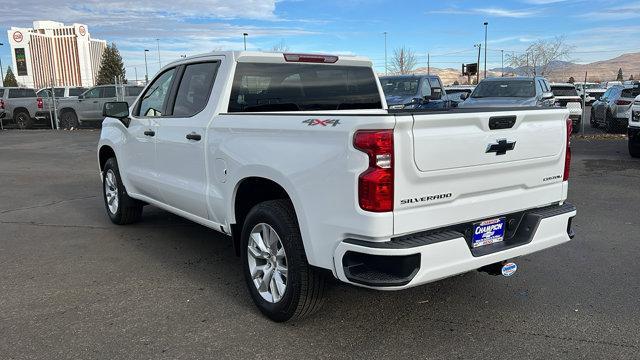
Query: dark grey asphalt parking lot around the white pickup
(72, 285)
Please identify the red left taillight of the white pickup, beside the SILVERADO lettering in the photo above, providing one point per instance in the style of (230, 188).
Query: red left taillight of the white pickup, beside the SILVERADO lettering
(375, 185)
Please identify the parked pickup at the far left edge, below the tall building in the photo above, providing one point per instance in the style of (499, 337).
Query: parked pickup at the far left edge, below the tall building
(20, 106)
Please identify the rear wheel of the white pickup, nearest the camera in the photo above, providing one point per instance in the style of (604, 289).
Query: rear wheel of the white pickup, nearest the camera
(281, 282)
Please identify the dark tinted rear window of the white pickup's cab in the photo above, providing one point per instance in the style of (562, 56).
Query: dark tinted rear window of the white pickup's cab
(302, 87)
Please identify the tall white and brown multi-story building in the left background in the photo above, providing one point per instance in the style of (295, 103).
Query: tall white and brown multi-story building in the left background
(52, 52)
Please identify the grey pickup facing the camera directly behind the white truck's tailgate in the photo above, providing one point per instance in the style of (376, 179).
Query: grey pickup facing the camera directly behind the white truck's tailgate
(511, 92)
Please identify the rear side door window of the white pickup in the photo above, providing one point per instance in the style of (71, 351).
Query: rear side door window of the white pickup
(195, 89)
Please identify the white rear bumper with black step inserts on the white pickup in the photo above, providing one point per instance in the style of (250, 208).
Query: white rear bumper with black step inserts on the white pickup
(426, 257)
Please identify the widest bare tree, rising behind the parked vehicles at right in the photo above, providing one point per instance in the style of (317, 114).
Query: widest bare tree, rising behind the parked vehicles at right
(538, 57)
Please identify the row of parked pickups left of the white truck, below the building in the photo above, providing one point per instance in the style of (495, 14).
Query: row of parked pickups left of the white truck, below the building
(74, 106)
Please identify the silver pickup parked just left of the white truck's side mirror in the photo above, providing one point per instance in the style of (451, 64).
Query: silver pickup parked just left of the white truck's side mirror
(87, 108)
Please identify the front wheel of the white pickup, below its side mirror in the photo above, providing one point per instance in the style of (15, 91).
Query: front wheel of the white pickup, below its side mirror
(121, 208)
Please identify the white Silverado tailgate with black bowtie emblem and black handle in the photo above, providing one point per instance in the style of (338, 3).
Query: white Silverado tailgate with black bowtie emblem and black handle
(459, 167)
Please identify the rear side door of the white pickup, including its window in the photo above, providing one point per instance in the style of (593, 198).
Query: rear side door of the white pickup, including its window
(181, 139)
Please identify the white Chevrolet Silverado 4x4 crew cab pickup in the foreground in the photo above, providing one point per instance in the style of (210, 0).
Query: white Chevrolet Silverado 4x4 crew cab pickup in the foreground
(298, 160)
